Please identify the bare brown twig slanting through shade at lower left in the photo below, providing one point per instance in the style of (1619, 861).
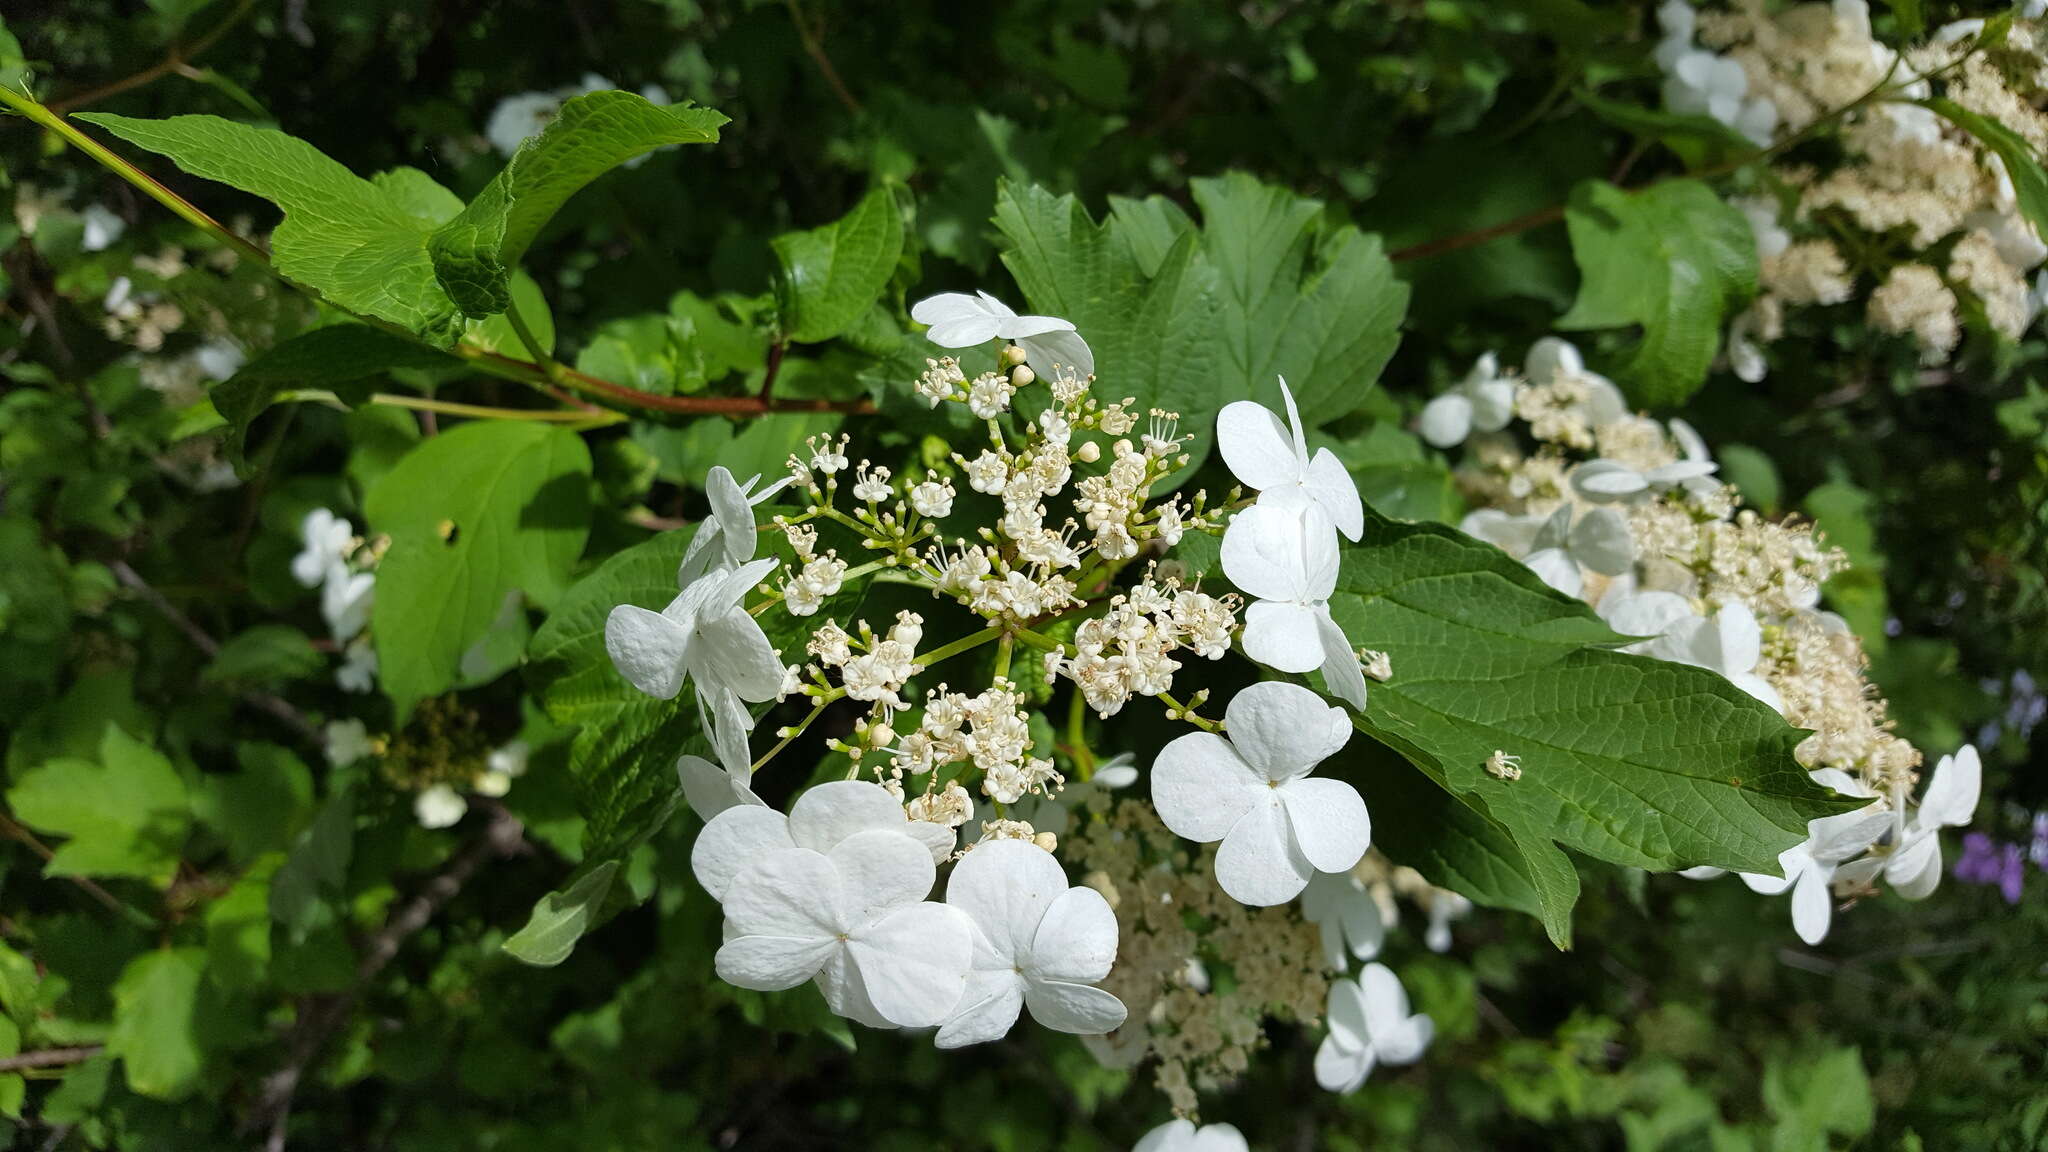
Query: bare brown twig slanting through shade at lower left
(318, 1020)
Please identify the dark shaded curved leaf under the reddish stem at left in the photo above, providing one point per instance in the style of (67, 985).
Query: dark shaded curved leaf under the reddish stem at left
(339, 360)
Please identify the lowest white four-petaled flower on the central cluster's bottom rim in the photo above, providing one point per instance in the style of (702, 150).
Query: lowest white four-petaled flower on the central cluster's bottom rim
(1039, 946)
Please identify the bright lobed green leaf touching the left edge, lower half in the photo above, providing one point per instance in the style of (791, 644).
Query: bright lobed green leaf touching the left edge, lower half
(124, 817)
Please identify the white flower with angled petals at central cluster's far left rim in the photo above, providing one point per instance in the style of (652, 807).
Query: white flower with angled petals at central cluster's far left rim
(703, 634)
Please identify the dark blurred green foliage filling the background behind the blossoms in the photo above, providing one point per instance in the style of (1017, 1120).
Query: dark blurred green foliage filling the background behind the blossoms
(1687, 1020)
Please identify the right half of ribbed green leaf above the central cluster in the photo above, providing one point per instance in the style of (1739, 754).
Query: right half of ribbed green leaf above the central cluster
(1299, 300)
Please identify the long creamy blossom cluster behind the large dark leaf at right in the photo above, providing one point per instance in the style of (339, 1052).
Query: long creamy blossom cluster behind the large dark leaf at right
(1629, 516)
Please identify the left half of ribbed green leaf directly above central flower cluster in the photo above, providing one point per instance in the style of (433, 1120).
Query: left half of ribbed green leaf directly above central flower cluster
(1154, 335)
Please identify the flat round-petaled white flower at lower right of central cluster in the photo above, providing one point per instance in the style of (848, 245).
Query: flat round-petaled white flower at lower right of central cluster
(1254, 792)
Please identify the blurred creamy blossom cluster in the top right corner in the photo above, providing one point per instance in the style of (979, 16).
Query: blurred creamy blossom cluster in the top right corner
(1832, 235)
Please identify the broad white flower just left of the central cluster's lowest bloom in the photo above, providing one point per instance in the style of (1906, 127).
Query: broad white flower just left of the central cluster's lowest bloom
(853, 919)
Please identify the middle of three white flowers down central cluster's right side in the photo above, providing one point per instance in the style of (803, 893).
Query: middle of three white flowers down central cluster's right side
(1287, 561)
